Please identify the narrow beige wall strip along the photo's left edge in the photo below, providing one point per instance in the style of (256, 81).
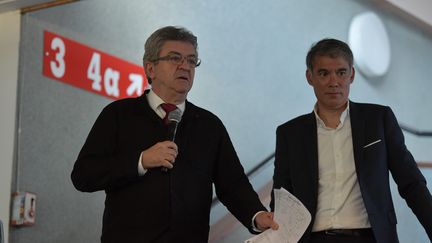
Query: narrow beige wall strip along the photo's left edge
(9, 47)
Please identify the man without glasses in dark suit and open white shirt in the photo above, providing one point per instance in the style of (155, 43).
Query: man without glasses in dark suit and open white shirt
(337, 159)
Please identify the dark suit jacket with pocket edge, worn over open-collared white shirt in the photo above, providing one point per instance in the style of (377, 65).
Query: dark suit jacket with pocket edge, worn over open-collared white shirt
(296, 167)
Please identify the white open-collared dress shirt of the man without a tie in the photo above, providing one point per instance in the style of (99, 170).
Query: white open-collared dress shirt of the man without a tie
(340, 203)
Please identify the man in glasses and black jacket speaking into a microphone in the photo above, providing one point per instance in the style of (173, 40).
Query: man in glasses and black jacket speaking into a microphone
(149, 198)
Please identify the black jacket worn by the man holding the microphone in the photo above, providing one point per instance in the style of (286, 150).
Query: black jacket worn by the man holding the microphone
(171, 206)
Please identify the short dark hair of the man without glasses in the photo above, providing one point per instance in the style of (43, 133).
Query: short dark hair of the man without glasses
(329, 47)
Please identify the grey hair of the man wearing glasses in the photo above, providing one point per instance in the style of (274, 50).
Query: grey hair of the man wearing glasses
(154, 43)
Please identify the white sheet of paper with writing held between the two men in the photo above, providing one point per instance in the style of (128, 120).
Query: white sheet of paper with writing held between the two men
(291, 215)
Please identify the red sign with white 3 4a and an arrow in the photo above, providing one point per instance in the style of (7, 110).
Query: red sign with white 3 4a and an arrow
(84, 67)
